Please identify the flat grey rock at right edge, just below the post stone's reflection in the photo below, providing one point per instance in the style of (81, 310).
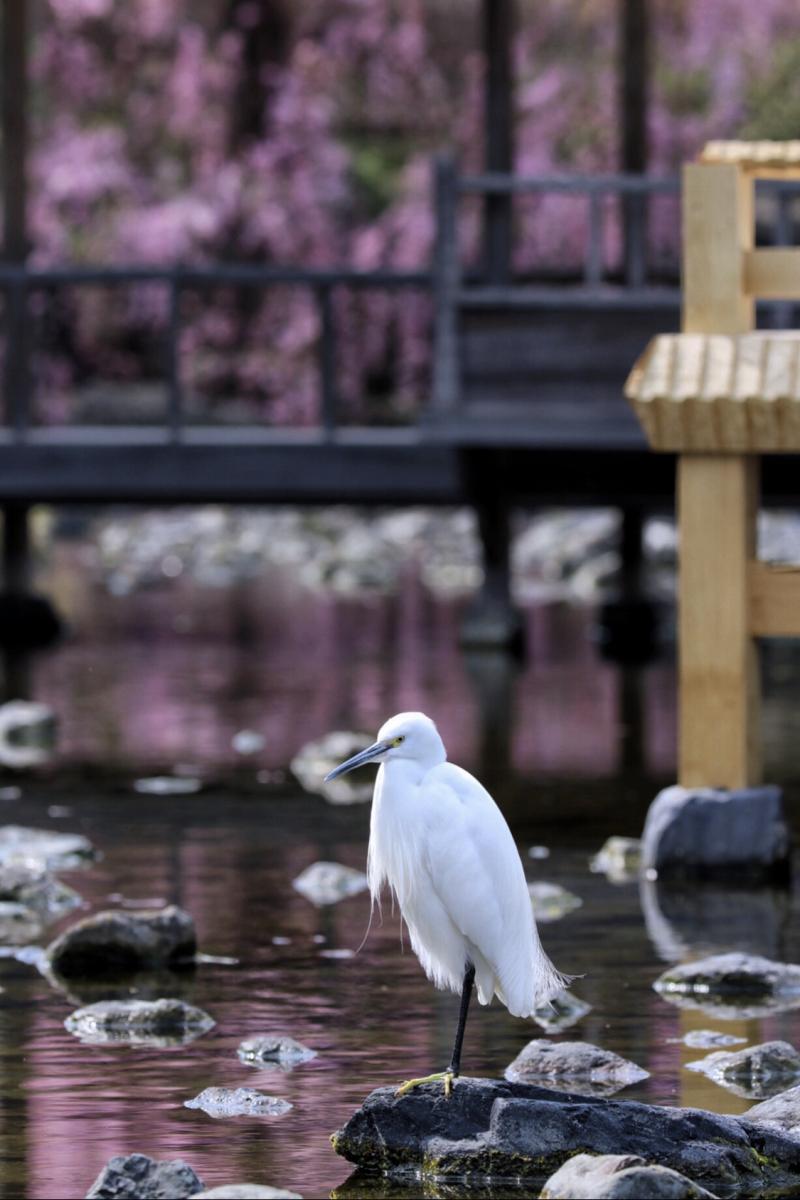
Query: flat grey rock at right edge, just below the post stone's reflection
(732, 986)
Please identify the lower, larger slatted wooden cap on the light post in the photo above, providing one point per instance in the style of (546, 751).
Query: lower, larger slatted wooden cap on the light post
(718, 393)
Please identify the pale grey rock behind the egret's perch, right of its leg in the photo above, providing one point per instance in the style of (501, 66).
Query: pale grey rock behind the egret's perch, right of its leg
(587, 1070)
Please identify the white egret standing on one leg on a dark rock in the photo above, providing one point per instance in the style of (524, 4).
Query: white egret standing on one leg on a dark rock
(441, 843)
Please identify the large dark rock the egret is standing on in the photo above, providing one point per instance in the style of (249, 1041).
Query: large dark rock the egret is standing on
(502, 1130)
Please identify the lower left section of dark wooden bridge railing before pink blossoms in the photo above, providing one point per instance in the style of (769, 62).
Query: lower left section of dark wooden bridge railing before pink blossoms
(19, 284)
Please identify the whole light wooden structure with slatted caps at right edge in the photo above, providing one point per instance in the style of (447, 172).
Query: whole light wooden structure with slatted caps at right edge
(720, 395)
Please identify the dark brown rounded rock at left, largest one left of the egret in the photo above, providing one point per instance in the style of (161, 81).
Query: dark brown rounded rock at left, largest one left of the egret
(117, 943)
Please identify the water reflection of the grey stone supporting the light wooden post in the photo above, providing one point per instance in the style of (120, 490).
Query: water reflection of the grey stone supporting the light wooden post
(703, 917)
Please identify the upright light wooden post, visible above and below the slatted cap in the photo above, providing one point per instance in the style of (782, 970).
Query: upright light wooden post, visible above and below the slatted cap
(718, 506)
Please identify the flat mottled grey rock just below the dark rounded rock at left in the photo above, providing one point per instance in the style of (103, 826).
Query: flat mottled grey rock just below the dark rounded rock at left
(140, 1022)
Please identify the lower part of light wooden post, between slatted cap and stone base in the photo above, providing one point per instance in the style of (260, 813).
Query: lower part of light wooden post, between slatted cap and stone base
(720, 734)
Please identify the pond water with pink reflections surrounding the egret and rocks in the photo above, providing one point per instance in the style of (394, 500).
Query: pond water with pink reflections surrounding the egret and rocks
(573, 748)
